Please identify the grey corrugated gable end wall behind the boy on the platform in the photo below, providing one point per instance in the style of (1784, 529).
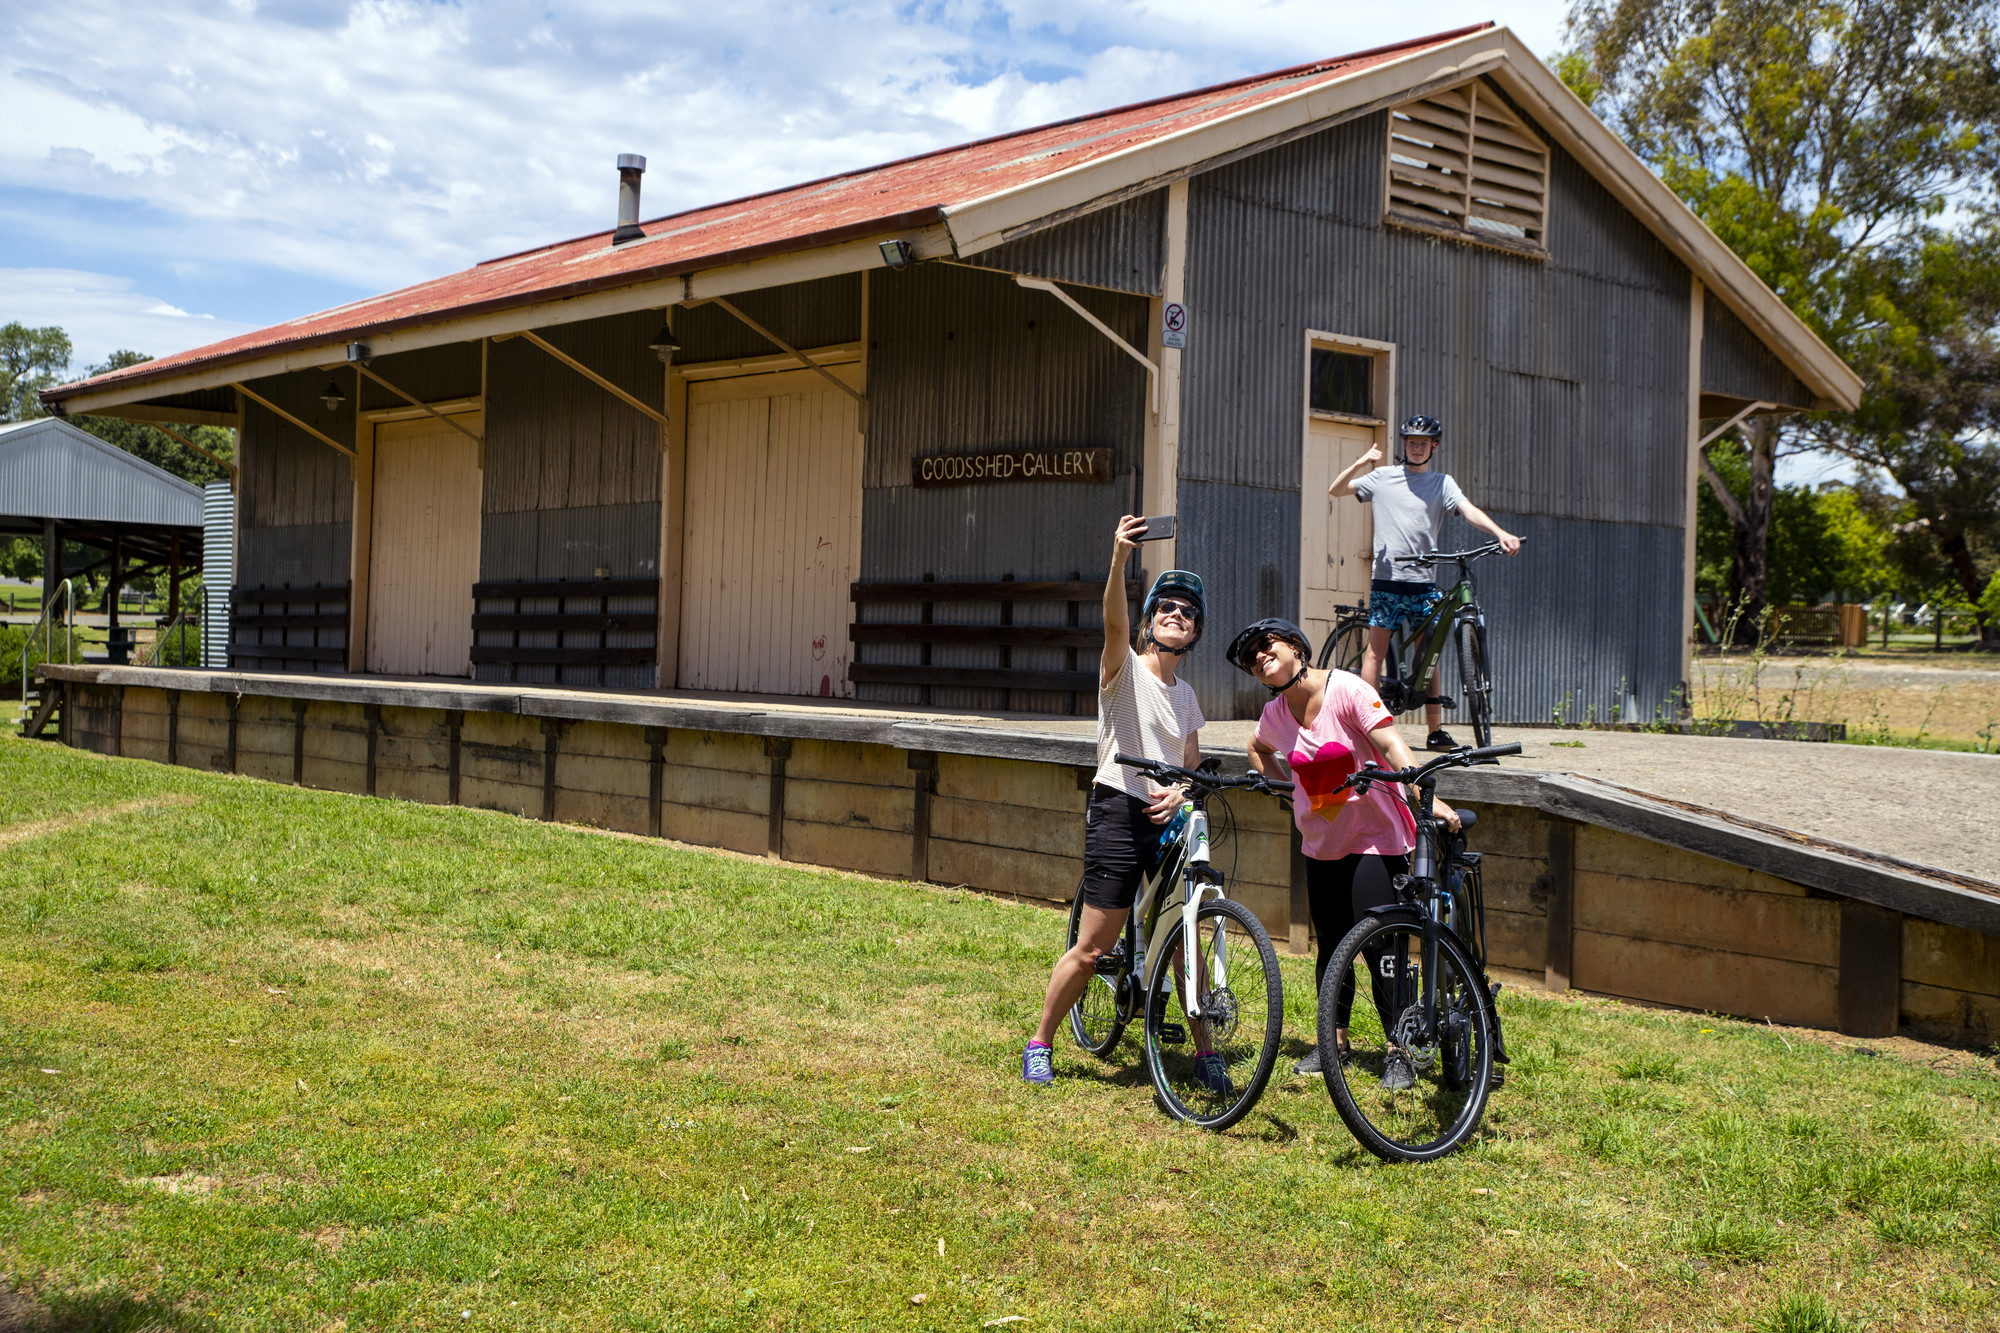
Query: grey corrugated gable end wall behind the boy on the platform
(1561, 385)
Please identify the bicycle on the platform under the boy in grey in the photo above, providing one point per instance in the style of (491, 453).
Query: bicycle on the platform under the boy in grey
(1415, 651)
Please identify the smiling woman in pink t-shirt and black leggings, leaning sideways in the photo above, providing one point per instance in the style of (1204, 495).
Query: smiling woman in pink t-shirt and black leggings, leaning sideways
(1319, 728)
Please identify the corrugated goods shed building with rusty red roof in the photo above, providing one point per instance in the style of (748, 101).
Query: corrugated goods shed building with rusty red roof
(1201, 305)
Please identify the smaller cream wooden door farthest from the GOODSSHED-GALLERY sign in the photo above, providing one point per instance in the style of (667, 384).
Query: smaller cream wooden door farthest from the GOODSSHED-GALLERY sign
(425, 549)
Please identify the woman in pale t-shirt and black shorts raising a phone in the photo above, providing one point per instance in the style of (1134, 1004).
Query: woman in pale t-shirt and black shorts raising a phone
(1143, 710)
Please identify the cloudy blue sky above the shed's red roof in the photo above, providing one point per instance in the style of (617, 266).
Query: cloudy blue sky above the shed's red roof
(181, 171)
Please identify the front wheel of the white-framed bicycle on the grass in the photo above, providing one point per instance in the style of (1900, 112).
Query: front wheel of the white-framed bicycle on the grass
(1241, 1022)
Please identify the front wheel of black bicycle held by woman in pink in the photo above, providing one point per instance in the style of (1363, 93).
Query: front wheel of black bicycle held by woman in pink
(1451, 1060)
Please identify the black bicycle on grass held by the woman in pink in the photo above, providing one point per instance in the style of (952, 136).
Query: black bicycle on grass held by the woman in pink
(1421, 1060)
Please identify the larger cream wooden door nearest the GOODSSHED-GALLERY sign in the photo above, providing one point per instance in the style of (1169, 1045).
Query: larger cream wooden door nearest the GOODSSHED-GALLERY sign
(773, 535)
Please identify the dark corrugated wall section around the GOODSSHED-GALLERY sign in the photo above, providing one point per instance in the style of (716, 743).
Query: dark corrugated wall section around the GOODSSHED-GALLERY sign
(967, 361)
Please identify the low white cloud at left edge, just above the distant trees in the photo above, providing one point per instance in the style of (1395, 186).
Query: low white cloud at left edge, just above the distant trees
(103, 315)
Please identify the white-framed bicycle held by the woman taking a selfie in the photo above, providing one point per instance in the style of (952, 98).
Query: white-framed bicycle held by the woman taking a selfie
(1213, 1012)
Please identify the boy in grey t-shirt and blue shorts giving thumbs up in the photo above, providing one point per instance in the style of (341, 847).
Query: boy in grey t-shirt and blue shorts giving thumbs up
(1409, 509)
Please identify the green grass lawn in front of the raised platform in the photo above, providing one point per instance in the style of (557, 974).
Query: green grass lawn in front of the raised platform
(289, 1060)
